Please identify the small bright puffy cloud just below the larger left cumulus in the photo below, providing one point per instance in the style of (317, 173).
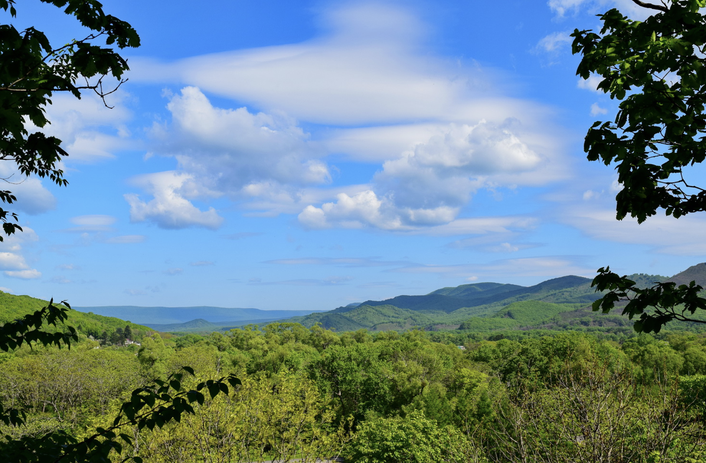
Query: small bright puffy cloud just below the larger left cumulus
(170, 208)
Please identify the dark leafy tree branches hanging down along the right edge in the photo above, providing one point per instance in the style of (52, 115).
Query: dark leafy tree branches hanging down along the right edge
(656, 69)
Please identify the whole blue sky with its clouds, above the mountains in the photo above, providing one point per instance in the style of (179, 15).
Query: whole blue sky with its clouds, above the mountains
(305, 155)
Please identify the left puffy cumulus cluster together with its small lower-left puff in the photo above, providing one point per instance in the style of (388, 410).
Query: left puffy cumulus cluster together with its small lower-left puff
(259, 157)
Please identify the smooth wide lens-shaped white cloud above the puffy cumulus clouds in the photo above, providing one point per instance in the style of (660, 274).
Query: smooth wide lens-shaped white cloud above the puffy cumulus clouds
(369, 50)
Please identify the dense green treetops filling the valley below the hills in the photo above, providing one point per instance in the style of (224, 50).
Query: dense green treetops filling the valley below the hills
(380, 397)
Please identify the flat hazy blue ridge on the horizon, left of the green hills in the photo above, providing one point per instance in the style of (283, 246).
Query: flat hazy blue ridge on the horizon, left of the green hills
(177, 315)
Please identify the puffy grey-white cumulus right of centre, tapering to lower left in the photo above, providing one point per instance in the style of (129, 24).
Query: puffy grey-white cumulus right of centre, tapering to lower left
(430, 183)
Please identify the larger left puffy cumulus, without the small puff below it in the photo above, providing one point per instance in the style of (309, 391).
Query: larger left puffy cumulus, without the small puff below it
(235, 148)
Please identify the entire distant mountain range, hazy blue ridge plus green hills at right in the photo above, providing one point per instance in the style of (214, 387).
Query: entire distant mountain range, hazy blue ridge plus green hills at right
(557, 303)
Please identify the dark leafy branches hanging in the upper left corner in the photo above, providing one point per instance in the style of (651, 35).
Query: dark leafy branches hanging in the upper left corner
(32, 70)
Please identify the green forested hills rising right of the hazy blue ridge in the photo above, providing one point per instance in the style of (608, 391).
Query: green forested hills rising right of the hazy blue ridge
(559, 302)
